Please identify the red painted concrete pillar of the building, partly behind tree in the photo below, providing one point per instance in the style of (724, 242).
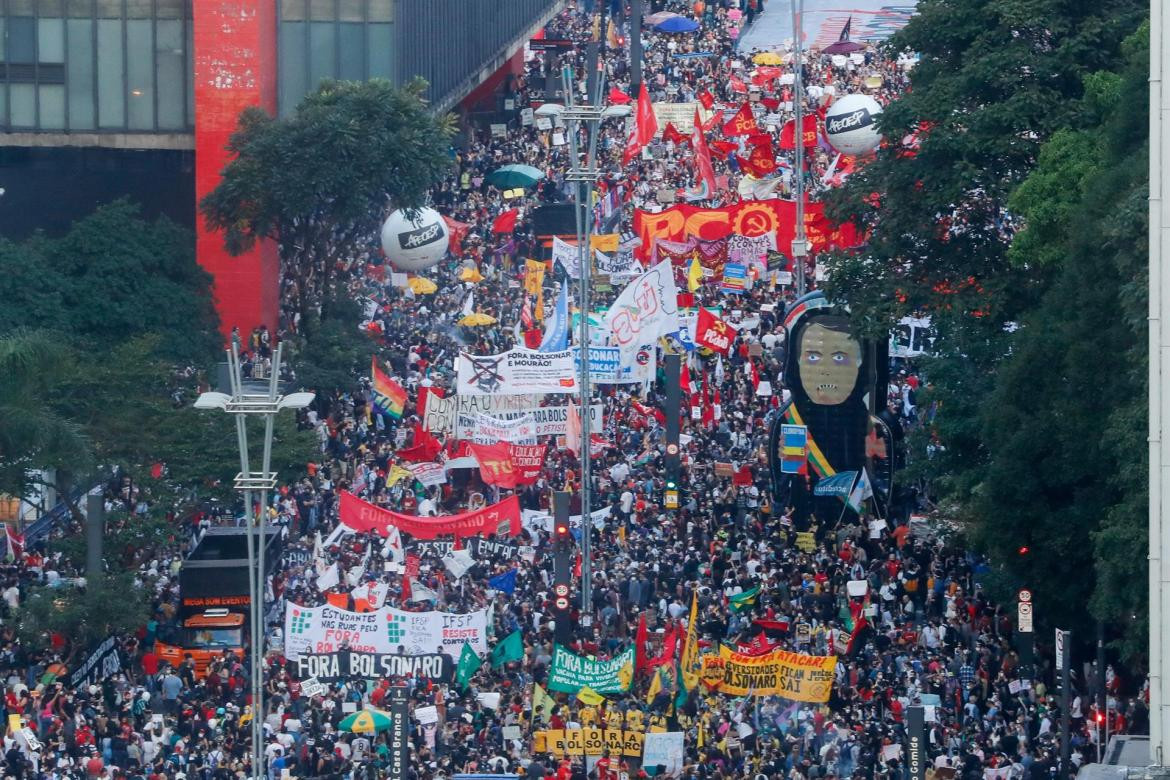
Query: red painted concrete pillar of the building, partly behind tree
(236, 68)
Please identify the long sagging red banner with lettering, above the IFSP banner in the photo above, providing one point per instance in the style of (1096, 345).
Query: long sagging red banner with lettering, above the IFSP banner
(499, 519)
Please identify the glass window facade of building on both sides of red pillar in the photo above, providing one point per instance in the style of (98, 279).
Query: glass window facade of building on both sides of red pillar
(127, 66)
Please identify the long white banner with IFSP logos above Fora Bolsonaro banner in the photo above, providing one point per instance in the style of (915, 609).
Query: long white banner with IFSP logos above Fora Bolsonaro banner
(388, 631)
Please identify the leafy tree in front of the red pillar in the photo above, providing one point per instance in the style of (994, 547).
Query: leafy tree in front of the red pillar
(320, 182)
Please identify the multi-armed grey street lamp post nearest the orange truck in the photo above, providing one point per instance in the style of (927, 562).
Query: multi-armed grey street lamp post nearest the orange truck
(266, 405)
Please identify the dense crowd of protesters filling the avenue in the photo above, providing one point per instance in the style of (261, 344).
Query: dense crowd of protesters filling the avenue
(933, 638)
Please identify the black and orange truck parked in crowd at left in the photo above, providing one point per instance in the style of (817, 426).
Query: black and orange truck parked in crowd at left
(214, 599)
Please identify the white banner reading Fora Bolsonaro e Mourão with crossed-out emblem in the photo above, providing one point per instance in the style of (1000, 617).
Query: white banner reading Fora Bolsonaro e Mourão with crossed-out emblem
(517, 372)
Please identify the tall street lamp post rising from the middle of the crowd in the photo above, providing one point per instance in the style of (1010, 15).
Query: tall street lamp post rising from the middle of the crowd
(583, 181)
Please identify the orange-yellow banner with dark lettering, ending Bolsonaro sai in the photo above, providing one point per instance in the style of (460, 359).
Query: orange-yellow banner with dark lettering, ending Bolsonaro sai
(793, 675)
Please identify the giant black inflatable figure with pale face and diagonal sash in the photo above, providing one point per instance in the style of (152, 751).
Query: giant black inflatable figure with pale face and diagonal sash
(832, 377)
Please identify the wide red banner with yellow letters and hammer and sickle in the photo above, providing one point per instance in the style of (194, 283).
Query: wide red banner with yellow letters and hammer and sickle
(749, 218)
